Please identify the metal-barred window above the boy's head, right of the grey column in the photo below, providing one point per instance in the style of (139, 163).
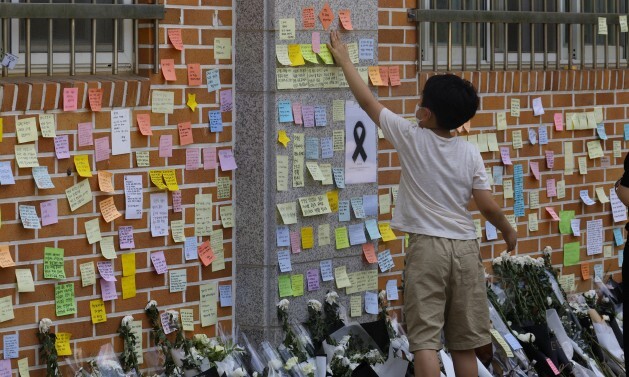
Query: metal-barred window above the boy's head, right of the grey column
(519, 34)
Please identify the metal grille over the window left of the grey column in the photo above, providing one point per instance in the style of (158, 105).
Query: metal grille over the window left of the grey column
(95, 14)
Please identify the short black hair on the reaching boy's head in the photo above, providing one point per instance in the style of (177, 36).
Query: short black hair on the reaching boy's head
(451, 99)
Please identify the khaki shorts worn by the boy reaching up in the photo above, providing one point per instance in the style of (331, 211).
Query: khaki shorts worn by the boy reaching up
(444, 288)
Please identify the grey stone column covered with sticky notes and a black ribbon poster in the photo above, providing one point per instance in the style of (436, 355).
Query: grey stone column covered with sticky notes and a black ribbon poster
(256, 97)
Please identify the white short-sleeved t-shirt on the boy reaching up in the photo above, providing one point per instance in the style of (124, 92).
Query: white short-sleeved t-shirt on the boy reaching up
(438, 175)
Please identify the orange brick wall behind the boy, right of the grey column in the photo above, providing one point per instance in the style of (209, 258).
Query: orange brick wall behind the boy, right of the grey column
(561, 91)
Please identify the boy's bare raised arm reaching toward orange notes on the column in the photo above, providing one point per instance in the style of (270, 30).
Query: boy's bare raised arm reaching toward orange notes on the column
(361, 91)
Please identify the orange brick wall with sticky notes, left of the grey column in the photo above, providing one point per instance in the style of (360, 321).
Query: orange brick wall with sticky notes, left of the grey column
(201, 21)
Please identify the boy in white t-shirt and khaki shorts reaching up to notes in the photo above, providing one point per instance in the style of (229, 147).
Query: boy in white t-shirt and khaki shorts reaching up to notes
(444, 277)
